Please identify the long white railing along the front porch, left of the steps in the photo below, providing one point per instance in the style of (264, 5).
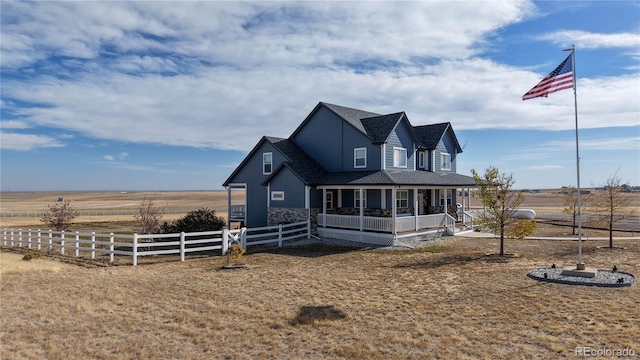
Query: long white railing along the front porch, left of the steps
(385, 224)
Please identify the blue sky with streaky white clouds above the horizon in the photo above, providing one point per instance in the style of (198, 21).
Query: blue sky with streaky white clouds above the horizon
(172, 95)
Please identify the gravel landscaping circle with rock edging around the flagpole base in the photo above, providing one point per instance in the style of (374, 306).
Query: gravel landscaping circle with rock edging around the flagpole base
(603, 278)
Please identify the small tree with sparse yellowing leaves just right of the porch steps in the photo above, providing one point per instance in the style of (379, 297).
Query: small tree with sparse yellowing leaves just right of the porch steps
(495, 191)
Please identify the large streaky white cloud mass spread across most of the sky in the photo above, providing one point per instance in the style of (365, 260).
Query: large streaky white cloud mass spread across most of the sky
(205, 74)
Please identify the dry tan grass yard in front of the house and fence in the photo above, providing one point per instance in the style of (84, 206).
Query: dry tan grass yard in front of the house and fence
(315, 302)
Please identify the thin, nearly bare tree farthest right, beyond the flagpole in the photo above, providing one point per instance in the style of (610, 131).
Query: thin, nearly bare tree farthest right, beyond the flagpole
(611, 205)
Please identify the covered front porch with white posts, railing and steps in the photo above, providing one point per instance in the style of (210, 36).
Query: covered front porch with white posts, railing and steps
(381, 215)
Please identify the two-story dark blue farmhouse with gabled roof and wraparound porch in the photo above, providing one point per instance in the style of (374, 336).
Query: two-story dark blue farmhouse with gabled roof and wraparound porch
(356, 175)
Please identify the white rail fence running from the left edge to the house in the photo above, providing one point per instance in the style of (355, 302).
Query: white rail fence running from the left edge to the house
(137, 245)
